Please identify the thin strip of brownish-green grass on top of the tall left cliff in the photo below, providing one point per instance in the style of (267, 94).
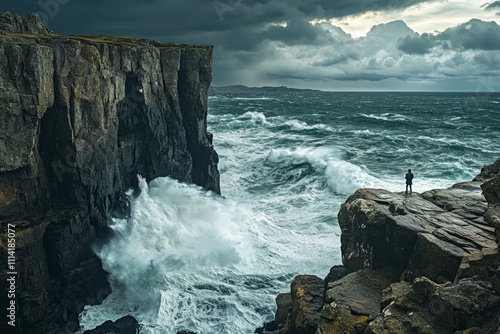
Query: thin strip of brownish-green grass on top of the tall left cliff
(28, 38)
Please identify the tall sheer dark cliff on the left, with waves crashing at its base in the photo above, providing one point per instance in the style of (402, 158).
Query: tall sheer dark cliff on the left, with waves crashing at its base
(80, 118)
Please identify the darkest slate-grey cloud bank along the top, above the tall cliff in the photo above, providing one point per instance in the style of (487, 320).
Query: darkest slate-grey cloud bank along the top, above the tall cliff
(180, 18)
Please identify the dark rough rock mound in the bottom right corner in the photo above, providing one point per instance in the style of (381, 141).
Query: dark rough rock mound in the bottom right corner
(426, 307)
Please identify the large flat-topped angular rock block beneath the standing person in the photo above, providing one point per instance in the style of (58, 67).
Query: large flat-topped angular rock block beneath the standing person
(382, 229)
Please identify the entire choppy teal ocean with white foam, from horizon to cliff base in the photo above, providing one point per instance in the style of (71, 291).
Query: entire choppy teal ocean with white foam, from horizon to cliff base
(190, 260)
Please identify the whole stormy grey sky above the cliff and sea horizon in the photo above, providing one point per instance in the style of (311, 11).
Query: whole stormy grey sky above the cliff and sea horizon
(430, 45)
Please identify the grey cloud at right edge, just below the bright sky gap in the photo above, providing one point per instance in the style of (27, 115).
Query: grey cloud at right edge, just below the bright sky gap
(473, 35)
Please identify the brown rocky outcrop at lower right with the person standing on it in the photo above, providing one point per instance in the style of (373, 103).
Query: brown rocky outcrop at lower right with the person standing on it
(419, 263)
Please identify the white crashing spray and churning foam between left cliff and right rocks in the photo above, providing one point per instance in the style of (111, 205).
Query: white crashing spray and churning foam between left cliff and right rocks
(187, 259)
